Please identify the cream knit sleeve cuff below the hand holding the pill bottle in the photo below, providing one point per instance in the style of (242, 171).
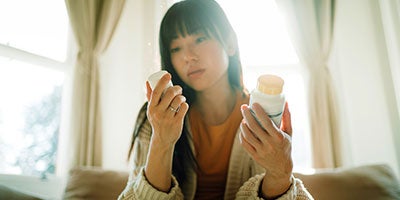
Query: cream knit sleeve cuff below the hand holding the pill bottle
(250, 190)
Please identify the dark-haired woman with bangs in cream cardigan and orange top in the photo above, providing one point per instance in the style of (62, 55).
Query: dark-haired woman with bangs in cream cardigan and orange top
(190, 141)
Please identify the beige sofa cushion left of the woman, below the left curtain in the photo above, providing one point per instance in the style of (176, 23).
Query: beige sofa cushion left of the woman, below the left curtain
(95, 183)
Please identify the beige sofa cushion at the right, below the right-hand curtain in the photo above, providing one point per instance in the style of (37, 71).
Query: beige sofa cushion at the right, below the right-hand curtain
(375, 182)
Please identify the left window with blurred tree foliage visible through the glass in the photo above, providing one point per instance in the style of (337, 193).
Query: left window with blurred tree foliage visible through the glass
(33, 60)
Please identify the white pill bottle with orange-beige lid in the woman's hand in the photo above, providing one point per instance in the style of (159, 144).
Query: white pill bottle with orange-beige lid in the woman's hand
(269, 95)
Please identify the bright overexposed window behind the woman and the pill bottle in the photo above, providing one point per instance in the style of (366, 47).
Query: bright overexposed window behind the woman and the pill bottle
(265, 47)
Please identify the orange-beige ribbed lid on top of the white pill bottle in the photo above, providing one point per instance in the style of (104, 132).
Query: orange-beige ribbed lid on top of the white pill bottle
(270, 84)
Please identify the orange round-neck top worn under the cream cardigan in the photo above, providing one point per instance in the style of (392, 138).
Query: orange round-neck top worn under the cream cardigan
(213, 146)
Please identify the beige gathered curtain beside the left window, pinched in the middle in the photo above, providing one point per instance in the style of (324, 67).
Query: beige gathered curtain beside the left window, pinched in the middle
(93, 23)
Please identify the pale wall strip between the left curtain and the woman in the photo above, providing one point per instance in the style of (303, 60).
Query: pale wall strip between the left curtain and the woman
(121, 91)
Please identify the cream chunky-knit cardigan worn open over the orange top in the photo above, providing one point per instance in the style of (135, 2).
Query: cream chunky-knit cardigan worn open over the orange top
(243, 182)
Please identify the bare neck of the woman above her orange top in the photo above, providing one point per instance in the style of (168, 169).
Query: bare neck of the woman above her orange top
(216, 103)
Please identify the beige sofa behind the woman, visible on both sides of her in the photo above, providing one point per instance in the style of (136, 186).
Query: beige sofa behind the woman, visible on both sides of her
(374, 182)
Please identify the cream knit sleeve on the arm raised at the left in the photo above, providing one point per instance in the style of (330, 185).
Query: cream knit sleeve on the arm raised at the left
(138, 187)
